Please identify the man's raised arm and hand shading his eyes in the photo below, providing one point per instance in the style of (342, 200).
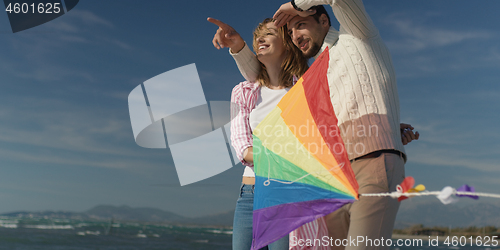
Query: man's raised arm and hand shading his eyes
(351, 15)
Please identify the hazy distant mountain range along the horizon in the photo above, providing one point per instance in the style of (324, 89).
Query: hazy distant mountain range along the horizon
(413, 211)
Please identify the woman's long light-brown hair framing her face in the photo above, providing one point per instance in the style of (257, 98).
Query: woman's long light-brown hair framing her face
(294, 64)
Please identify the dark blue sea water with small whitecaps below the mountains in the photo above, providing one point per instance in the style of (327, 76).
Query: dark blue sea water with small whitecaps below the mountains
(56, 234)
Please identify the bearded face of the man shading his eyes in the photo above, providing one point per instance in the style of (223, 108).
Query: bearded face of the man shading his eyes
(307, 34)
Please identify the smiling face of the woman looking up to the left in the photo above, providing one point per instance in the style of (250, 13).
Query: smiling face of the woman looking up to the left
(269, 45)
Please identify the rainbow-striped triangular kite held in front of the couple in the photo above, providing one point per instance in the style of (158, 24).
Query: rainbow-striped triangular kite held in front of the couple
(301, 165)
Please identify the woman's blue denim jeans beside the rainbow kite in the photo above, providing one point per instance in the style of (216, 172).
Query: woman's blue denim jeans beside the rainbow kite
(242, 224)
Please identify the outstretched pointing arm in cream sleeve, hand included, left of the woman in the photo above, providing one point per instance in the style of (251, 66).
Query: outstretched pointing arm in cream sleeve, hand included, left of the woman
(226, 36)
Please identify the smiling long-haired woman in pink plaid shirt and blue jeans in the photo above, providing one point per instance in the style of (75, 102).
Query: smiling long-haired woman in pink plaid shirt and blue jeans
(280, 65)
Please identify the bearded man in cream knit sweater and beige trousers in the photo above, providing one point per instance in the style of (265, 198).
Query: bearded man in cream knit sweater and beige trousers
(364, 95)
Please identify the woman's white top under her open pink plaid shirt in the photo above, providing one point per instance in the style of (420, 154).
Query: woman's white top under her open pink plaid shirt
(267, 99)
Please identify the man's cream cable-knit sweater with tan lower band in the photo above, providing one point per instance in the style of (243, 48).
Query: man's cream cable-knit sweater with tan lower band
(361, 76)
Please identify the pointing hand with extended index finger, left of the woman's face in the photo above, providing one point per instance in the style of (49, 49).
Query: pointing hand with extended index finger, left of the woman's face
(226, 36)
